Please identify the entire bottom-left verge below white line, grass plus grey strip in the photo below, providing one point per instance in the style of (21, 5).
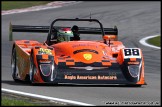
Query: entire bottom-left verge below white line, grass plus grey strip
(9, 99)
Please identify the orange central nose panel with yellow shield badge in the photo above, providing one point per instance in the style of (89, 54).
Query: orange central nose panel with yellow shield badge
(67, 49)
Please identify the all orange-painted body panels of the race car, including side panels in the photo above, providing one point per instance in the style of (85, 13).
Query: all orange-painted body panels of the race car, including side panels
(71, 52)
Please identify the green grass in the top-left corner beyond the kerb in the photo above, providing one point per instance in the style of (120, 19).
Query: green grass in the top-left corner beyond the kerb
(8, 5)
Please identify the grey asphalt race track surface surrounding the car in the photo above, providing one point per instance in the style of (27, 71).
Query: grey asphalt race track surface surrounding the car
(135, 20)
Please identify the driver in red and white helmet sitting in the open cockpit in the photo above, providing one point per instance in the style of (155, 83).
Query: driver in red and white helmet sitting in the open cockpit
(64, 34)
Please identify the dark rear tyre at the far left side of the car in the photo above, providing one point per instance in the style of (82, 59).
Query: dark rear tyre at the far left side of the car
(13, 66)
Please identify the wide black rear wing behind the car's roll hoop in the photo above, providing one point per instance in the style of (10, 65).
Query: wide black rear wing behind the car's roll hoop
(45, 29)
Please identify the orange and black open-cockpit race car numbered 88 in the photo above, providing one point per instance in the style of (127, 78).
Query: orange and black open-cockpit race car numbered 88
(76, 54)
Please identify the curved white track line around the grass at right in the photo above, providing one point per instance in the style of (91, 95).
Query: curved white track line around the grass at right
(143, 42)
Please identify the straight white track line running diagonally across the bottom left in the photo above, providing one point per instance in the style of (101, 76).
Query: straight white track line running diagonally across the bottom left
(45, 97)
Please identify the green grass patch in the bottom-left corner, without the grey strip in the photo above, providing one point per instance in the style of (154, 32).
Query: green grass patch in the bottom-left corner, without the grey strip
(12, 102)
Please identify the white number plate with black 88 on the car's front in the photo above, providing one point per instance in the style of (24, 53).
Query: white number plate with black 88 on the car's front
(132, 52)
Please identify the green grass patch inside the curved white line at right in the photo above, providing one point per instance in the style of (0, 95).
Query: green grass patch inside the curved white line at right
(155, 41)
